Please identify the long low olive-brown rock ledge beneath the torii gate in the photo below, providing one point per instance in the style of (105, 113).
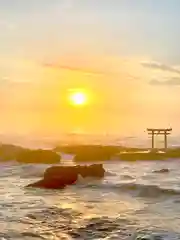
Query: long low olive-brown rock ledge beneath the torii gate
(90, 153)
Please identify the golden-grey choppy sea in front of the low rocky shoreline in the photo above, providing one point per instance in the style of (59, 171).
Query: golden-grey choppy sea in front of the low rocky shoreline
(135, 201)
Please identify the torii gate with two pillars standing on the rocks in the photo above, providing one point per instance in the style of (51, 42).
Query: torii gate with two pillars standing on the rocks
(159, 131)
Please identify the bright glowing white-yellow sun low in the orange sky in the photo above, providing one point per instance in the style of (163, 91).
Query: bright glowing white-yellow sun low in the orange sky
(78, 98)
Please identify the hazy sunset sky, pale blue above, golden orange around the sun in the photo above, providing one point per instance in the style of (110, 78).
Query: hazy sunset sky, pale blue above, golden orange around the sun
(123, 53)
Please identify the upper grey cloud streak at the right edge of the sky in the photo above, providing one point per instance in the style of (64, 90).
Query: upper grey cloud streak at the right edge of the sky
(160, 66)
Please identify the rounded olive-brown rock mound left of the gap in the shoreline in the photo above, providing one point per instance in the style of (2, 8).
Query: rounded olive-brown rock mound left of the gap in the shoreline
(38, 156)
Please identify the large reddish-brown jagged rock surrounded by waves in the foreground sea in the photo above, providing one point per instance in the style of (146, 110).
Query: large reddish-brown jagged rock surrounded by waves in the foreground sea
(58, 177)
